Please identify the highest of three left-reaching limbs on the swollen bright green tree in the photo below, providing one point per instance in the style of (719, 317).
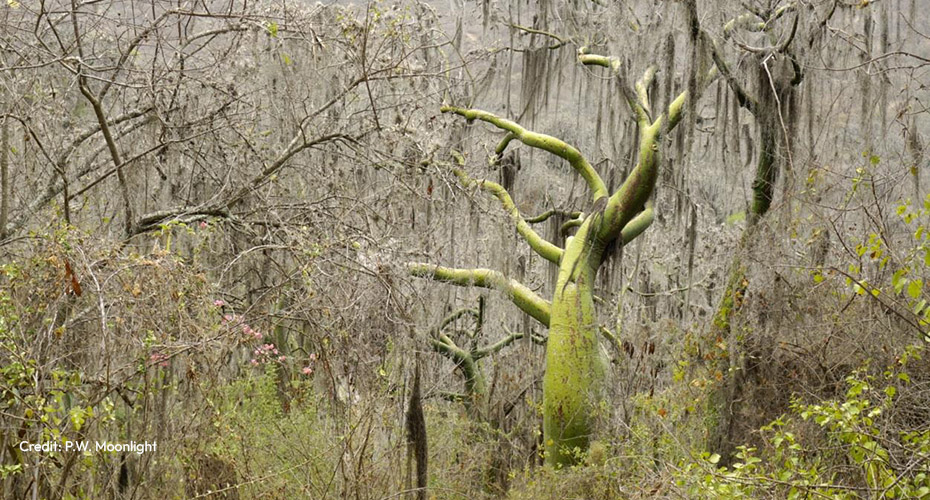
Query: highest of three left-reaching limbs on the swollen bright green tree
(545, 142)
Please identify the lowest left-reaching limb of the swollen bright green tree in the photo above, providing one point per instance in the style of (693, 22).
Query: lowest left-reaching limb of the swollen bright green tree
(522, 297)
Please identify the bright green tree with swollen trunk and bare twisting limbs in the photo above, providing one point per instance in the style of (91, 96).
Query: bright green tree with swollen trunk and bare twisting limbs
(575, 372)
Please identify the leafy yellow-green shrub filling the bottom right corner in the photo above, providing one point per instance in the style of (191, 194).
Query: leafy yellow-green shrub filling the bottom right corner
(885, 465)
